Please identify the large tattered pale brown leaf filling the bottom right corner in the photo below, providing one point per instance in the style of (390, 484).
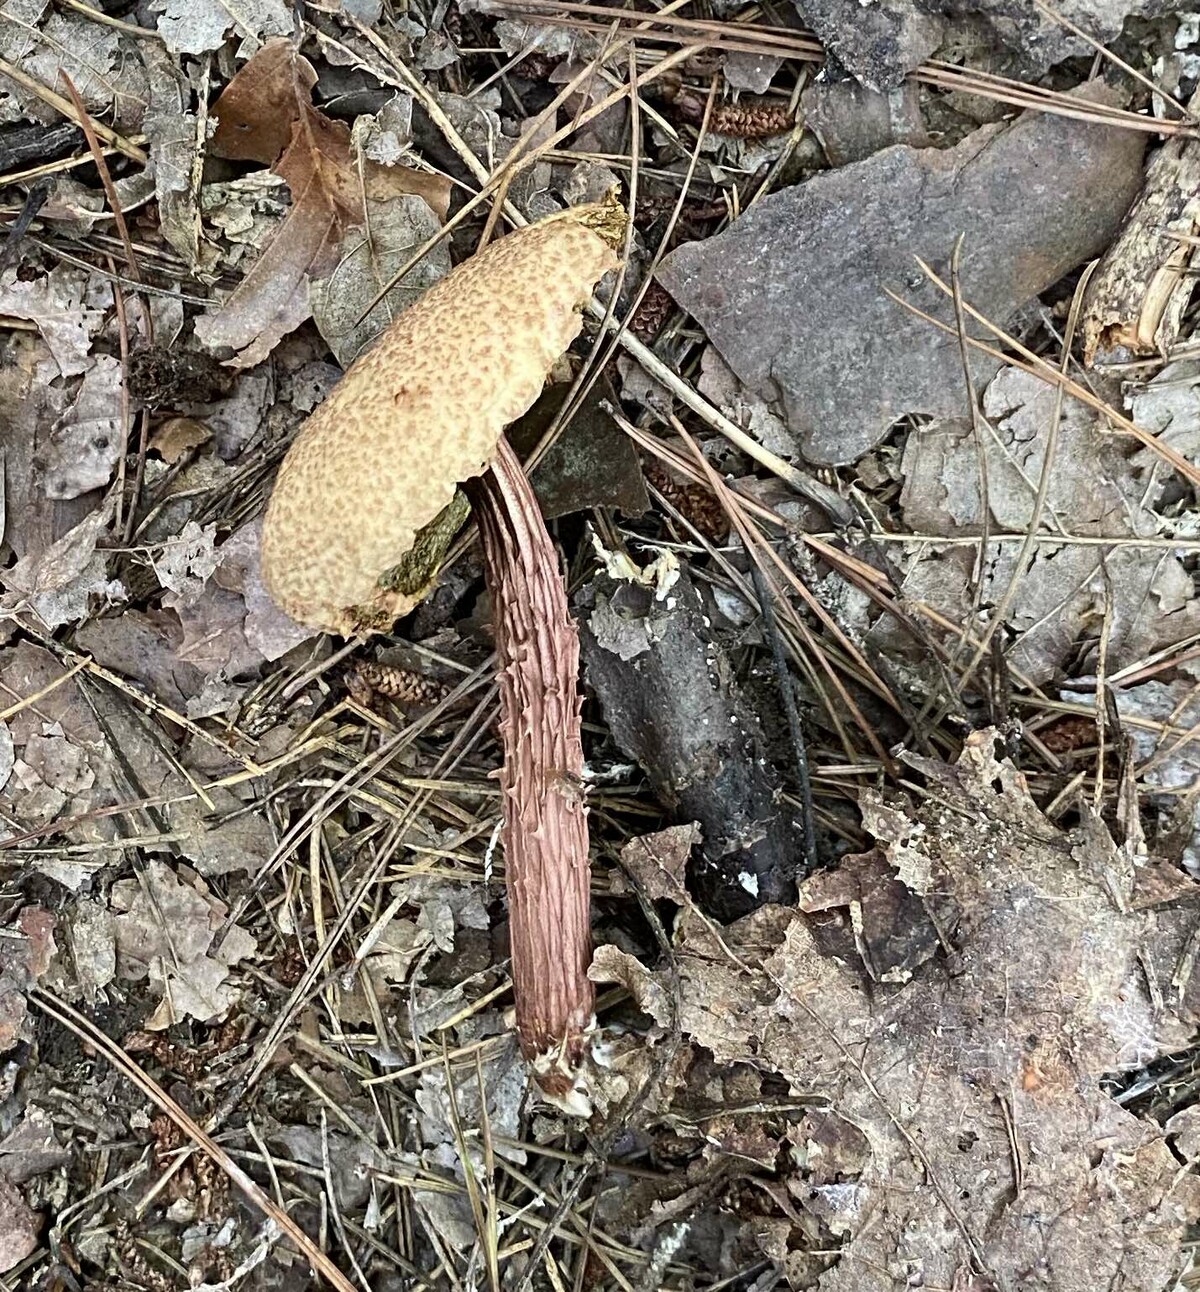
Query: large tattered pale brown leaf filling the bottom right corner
(994, 1158)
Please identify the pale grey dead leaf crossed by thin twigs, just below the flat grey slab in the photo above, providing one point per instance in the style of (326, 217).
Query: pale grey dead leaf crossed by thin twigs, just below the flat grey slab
(1069, 592)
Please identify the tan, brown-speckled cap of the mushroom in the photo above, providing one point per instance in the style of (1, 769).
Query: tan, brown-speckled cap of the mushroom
(417, 415)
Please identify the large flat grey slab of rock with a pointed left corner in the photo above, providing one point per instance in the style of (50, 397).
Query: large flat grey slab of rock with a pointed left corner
(794, 295)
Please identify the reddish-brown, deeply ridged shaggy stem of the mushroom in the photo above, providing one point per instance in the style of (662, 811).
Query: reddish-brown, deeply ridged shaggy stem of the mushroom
(546, 828)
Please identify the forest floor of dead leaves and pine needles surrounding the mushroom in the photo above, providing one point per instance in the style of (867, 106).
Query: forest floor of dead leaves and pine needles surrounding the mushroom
(959, 1052)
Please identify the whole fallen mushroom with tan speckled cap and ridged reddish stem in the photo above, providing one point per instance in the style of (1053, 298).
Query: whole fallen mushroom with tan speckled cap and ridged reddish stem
(364, 508)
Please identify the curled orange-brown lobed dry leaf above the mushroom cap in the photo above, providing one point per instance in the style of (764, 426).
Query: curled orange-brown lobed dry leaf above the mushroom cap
(267, 114)
